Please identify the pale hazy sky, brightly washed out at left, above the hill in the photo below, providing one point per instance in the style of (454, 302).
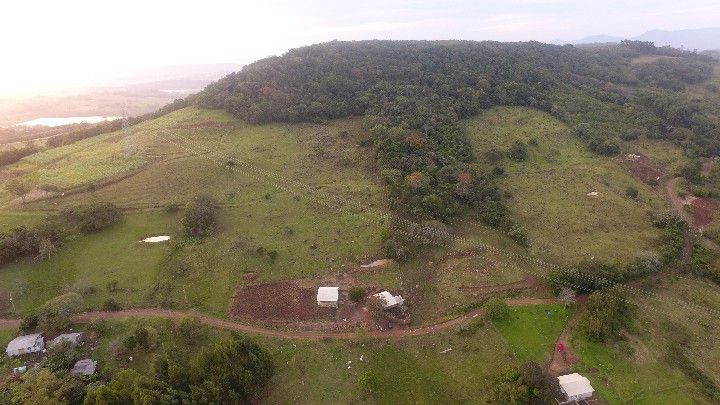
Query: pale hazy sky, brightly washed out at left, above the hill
(56, 43)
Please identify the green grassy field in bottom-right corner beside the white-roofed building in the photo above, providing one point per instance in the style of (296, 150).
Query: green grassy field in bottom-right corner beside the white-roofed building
(682, 310)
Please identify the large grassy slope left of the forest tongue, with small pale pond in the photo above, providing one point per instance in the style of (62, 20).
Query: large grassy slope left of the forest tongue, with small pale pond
(204, 152)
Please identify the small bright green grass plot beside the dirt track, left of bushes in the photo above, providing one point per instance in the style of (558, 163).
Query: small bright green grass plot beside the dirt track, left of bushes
(531, 331)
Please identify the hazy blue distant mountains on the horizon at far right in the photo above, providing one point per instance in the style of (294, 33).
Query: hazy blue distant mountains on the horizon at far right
(700, 39)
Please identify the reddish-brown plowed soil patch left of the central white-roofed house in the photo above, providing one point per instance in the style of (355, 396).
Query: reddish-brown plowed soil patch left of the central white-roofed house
(282, 301)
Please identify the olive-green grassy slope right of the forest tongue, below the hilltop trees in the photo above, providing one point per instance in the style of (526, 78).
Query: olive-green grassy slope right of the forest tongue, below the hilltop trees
(550, 189)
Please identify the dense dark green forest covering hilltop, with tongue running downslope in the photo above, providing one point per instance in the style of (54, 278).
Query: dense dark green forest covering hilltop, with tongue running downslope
(414, 92)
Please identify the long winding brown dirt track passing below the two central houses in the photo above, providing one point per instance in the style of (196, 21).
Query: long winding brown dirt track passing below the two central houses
(254, 330)
